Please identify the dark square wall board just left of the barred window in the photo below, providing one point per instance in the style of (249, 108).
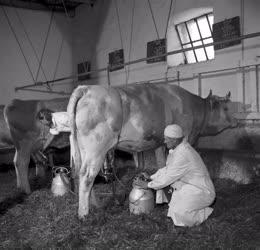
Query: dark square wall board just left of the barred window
(156, 48)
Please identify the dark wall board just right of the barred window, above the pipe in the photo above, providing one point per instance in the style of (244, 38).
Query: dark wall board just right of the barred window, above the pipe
(227, 29)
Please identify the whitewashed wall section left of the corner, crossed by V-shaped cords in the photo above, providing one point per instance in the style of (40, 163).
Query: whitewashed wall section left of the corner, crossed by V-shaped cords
(13, 69)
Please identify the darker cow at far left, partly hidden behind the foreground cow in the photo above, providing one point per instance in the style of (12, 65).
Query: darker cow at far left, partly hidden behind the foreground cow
(28, 122)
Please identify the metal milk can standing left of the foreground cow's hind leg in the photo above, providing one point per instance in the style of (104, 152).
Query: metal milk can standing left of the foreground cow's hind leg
(60, 183)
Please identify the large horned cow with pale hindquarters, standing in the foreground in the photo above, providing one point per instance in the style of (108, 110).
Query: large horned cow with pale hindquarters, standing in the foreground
(133, 119)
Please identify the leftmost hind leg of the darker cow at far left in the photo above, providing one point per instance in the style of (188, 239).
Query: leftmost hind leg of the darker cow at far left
(21, 162)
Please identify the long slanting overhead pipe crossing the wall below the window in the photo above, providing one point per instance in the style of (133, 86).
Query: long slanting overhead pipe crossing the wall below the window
(252, 35)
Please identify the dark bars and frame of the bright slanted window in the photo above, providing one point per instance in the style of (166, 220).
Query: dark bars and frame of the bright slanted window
(191, 42)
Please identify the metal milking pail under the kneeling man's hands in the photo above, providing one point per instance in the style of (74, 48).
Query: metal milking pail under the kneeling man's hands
(141, 200)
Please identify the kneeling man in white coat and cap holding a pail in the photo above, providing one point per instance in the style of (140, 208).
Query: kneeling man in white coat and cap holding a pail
(187, 175)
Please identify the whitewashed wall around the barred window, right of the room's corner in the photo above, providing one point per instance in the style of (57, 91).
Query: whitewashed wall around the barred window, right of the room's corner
(108, 39)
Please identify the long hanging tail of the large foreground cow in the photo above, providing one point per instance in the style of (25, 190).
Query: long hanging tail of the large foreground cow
(77, 94)
